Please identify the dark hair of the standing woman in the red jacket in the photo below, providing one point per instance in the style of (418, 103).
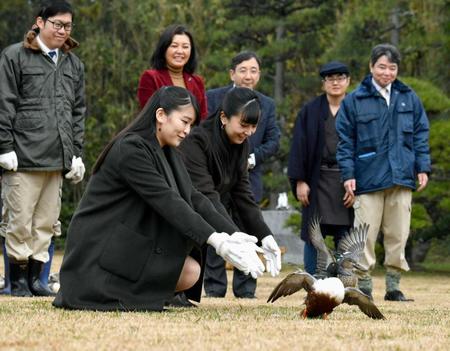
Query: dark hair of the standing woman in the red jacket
(158, 59)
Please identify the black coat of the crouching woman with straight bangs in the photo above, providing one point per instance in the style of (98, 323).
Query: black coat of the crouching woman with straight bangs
(227, 187)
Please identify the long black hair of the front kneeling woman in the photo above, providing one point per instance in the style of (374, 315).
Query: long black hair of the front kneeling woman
(169, 98)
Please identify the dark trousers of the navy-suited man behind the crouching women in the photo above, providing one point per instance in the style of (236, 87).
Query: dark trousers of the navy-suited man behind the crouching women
(215, 279)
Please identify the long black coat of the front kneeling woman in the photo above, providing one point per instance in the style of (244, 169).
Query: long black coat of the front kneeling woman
(133, 229)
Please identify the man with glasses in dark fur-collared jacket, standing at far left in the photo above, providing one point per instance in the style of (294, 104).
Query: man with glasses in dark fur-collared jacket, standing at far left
(42, 111)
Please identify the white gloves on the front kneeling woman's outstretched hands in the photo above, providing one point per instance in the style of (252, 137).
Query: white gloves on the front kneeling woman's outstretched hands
(240, 250)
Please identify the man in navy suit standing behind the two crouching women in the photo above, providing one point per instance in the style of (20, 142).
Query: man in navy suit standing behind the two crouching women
(244, 72)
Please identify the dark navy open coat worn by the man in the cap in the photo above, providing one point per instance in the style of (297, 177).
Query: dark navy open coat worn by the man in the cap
(305, 156)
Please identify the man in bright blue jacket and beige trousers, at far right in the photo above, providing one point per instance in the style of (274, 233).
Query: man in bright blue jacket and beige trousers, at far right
(383, 148)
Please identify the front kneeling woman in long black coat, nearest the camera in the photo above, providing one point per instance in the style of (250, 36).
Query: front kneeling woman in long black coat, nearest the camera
(129, 241)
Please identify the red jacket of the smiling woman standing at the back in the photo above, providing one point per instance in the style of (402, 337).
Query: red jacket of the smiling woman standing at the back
(152, 79)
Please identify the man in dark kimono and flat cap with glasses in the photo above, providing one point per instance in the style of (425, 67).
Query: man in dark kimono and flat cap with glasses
(313, 170)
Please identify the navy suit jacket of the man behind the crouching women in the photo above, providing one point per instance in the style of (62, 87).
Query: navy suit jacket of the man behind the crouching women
(266, 140)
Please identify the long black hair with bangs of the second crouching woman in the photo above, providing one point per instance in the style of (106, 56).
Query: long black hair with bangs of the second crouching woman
(238, 101)
